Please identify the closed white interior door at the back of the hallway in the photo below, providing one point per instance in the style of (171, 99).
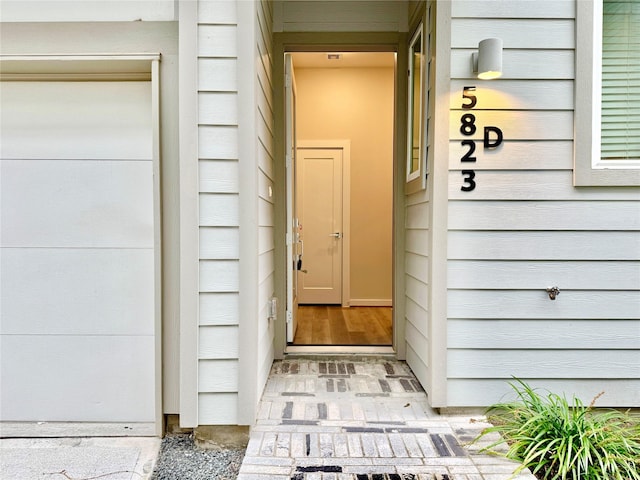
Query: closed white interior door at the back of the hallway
(319, 194)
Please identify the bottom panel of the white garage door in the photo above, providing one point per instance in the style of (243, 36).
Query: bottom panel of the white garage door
(77, 378)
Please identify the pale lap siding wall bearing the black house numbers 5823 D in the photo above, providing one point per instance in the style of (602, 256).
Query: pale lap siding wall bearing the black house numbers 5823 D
(525, 228)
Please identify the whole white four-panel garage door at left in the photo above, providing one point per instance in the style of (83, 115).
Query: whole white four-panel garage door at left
(77, 251)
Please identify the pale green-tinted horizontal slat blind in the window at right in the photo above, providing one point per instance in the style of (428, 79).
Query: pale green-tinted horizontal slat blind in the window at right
(620, 80)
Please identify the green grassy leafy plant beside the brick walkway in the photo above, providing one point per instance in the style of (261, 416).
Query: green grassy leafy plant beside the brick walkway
(562, 441)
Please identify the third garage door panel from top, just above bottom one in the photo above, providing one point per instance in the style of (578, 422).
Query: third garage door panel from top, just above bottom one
(77, 291)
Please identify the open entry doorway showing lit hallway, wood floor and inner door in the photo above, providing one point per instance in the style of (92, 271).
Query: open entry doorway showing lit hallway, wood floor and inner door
(342, 205)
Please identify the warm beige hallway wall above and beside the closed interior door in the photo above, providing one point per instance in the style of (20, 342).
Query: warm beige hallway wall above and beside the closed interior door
(357, 104)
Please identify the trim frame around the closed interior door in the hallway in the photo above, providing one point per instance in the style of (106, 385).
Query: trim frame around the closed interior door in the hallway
(345, 146)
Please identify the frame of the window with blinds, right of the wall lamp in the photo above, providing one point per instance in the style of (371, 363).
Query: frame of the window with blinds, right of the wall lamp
(589, 169)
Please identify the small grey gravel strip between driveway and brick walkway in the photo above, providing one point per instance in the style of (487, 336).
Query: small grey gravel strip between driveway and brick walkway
(181, 459)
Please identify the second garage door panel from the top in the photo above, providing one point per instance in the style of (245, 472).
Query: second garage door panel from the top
(76, 203)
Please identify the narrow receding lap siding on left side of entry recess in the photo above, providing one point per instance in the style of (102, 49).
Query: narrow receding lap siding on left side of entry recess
(264, 161)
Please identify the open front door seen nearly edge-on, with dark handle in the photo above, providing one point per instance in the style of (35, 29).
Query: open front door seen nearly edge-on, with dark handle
(293, 237)
